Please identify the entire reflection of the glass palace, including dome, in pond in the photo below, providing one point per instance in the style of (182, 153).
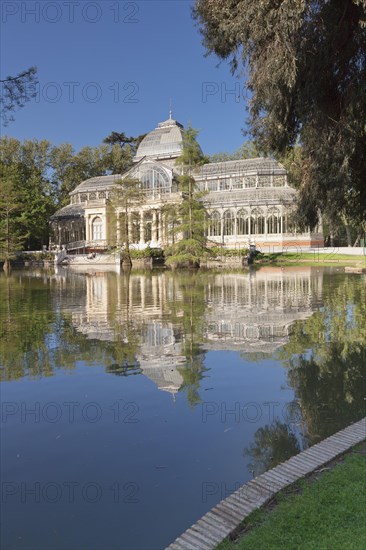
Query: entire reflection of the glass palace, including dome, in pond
(251, 313)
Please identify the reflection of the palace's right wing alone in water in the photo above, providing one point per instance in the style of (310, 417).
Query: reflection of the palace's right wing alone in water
(255, 313)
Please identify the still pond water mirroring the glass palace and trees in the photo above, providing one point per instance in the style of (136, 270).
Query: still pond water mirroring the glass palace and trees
(133, 403)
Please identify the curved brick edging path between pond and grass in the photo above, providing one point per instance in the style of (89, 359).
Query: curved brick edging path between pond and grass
(224, 518)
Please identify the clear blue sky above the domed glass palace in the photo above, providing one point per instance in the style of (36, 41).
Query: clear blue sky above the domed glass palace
(115, 65)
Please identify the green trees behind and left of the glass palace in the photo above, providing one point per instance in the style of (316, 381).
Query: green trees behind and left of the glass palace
(43, 176)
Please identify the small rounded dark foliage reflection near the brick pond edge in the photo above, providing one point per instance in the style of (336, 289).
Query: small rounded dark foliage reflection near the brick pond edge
(272, 445)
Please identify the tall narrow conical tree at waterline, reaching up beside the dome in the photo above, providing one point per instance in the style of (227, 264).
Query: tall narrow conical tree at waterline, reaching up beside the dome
(188, 250)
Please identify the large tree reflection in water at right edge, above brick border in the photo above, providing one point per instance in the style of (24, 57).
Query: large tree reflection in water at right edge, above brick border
(326, 357)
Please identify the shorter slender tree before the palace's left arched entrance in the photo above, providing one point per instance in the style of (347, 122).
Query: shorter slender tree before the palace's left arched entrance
(126, 194)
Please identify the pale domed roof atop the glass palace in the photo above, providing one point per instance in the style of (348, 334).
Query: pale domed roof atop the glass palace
(166, 141)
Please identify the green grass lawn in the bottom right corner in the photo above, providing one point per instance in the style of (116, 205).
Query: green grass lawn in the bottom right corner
(325, 512)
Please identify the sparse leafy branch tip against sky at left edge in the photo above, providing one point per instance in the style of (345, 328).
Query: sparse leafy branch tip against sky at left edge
(16, 91)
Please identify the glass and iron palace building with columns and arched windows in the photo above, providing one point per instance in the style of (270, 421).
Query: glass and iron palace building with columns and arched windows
(247, 202)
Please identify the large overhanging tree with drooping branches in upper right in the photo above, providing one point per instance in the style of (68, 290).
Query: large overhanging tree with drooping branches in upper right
(306, 67)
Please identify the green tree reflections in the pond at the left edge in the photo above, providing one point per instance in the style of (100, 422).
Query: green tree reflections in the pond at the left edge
(35, 340)
